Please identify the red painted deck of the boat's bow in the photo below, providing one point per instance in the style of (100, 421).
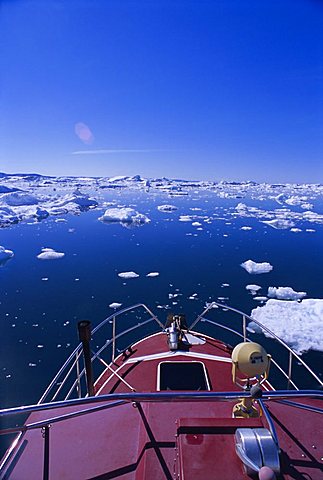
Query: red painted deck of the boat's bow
(148, 441)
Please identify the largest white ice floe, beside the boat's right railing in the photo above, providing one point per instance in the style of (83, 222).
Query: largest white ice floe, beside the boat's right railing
(298, 323)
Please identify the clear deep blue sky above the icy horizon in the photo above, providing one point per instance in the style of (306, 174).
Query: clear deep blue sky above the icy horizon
(221, 89)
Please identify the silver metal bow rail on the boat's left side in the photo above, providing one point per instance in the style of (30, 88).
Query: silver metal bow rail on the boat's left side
(72, 360)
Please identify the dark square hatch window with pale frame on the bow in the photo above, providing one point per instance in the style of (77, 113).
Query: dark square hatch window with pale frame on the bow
(182, 376)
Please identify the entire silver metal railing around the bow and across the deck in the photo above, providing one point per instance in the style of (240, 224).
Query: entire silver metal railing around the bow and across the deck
(72, 371)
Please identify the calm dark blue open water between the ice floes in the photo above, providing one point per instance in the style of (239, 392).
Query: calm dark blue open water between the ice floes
(39, 317)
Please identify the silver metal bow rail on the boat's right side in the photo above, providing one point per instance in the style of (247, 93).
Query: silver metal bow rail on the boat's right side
(244, 316)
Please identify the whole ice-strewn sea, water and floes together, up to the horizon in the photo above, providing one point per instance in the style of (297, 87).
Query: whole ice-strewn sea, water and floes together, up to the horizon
(194, 265)
